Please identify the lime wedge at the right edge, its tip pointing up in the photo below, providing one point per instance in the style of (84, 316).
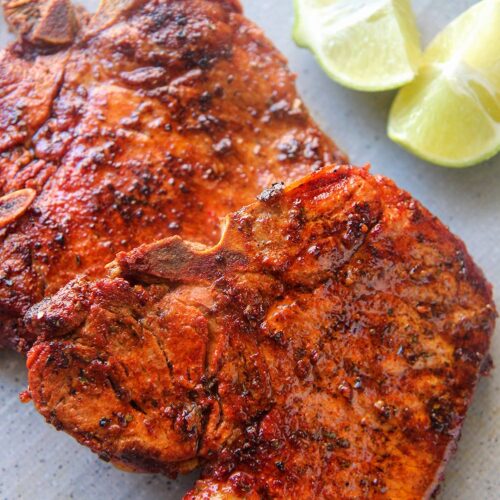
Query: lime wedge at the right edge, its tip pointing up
(450, 114)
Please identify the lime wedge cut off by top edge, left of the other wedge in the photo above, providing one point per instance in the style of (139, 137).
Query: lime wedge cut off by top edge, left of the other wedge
(363, 44)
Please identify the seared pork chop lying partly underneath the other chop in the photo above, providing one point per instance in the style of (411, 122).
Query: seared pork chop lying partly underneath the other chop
(154, 118)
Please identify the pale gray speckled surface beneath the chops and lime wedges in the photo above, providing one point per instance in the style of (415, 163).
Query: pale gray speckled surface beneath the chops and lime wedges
(37, 462)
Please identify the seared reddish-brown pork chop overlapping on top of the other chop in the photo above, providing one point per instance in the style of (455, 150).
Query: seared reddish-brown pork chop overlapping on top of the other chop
(327, 347)
